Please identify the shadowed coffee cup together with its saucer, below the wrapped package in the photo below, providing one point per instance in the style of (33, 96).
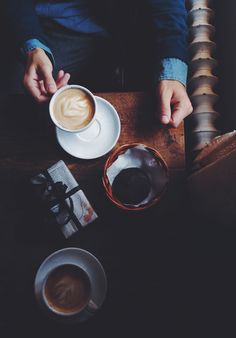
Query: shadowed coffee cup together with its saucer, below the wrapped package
(60, 274)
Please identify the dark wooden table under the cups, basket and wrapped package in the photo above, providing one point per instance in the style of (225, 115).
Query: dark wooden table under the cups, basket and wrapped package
(143, 253)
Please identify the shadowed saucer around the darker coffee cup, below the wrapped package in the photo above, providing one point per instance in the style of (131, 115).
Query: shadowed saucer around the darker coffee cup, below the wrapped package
(87, 262)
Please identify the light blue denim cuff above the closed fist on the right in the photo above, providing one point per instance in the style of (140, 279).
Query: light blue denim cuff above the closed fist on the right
(173, 69)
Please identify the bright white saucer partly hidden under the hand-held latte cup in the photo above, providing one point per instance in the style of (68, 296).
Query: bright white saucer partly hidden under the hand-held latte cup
(106, 129)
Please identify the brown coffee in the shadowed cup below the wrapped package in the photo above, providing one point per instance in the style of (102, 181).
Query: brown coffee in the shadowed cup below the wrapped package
(67, 289)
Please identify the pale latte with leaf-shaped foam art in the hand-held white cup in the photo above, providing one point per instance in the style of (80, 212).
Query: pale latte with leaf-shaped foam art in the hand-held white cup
(73, 109)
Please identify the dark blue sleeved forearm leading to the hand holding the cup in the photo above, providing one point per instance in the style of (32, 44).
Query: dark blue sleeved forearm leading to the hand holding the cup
(22, 20)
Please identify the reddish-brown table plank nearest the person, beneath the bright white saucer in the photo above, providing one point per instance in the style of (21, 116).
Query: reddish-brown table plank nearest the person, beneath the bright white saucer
(28, 142)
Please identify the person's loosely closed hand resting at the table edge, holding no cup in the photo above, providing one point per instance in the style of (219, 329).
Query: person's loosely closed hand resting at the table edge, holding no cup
(173, 104)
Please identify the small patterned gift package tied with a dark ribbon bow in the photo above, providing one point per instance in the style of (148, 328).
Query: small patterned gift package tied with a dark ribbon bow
(62, 197)
